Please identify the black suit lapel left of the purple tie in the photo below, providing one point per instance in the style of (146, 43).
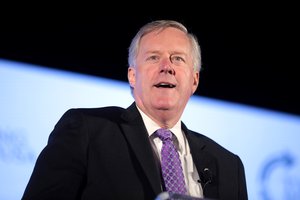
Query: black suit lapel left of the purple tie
(136, 134)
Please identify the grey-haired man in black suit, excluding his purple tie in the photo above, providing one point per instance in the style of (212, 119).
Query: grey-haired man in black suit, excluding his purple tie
(114, 153)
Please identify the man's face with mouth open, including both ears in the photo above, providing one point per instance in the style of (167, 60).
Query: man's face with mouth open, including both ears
(164, 78)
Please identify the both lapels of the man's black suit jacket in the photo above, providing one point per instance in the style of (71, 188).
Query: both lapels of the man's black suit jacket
(136, 134)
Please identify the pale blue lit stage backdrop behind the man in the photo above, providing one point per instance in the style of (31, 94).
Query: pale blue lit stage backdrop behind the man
(33, 98)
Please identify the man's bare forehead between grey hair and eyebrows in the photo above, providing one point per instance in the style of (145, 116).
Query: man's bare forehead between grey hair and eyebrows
(168, 39)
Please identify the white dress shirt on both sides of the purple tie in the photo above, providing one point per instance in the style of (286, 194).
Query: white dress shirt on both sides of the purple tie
(189, 169)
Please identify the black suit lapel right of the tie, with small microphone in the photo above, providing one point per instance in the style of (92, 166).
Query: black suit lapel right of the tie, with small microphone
(205, 163)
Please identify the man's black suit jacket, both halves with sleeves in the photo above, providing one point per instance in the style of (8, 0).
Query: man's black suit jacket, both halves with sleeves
(105, 153)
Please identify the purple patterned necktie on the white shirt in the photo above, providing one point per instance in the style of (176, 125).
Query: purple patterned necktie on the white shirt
(170, 164)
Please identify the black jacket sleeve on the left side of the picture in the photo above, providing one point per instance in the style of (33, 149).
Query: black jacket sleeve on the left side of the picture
(59, 171)
